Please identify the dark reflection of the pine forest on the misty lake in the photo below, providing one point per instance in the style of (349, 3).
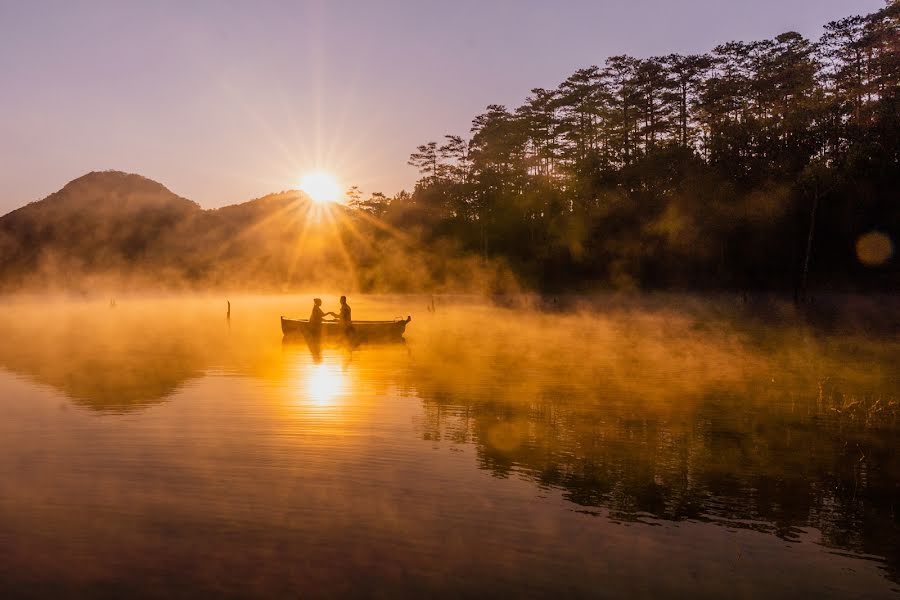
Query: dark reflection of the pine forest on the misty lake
(771, 431)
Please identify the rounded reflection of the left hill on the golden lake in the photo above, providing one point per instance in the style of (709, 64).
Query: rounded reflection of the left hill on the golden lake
(111, 361)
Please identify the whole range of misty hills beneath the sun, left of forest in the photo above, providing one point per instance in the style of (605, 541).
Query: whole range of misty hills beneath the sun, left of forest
(118, 231)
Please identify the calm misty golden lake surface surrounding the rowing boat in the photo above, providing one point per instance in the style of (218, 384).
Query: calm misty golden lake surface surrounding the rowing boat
(673, 450)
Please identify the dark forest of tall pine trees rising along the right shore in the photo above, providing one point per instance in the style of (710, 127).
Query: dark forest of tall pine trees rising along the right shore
(768, 165)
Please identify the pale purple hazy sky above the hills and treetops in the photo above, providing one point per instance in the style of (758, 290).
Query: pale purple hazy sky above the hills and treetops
(225, 101)
